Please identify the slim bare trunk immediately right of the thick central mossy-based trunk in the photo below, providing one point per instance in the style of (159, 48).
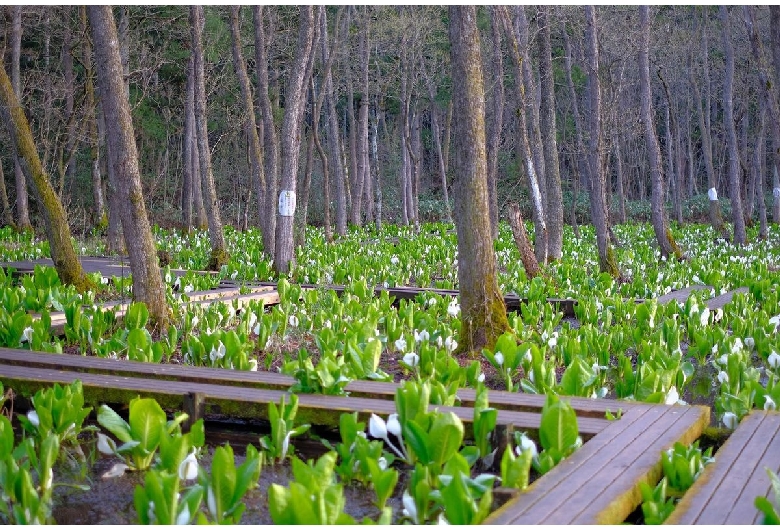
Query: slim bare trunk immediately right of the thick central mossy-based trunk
(495, 118)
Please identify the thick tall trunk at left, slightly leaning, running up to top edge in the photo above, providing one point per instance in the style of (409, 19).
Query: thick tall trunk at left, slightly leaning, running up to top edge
(147, 279)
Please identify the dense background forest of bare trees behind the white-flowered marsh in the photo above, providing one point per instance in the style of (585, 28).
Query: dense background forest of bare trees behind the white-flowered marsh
(209, 90)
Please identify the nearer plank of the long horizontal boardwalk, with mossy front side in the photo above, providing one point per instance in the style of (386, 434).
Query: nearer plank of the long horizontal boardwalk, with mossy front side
(233, 401)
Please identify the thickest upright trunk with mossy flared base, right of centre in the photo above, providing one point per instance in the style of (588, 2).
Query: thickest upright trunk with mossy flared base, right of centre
(483, 313)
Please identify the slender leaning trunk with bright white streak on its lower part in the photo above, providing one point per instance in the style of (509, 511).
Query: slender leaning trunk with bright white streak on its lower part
(524, 151)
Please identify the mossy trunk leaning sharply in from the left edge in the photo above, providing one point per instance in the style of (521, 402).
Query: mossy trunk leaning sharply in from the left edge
(57, 230)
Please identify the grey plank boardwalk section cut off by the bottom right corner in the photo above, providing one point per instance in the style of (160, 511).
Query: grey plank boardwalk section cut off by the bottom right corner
(727, 488)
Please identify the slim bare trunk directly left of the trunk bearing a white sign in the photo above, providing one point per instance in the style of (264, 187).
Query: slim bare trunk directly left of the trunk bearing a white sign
(266, 206)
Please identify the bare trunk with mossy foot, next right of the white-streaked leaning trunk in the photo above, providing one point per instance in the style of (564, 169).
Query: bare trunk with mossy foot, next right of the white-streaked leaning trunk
(598, 211)
